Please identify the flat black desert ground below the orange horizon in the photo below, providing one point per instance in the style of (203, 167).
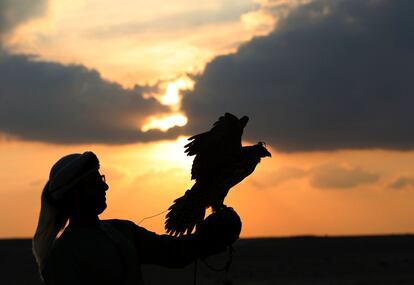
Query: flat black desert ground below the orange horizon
(309, 260)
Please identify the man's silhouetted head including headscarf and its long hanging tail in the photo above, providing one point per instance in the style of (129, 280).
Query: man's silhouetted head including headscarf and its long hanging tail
(75, 188)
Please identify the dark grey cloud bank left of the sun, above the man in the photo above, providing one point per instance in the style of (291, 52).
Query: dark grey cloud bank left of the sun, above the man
(68, 104)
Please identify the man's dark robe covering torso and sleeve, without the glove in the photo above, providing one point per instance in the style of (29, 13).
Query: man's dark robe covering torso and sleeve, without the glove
(112, 254)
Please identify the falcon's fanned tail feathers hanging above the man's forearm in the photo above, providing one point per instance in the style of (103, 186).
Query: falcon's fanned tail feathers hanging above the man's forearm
(186, 212)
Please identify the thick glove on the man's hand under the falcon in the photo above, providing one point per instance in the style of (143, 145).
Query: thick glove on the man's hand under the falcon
(218, 231)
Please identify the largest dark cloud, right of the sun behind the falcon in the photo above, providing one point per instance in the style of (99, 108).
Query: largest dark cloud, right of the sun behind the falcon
(333, 75)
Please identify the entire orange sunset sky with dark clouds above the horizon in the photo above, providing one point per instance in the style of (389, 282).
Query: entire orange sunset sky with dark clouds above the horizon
(326, 84)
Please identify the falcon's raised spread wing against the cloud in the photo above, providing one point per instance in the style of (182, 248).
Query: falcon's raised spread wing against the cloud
(216, 148)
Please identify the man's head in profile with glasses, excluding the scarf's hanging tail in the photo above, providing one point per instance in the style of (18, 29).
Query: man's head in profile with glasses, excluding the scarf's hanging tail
(75, 184)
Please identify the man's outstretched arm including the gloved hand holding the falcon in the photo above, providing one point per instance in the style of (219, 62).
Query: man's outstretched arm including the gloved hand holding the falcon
(214, 235)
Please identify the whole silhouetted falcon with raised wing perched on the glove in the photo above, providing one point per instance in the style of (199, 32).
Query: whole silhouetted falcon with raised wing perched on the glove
(220, 163)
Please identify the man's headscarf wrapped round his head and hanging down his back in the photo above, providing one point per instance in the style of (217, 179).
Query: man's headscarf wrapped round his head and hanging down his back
(64, 176)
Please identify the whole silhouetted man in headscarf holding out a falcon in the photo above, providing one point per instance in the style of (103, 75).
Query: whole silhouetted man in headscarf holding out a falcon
(94, 251)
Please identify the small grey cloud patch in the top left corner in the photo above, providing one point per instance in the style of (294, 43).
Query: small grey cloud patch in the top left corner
(15, 12)
